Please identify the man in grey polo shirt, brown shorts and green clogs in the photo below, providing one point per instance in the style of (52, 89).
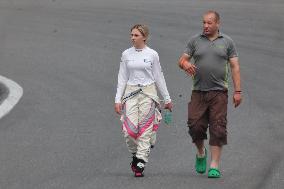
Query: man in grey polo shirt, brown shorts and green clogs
(212, 52)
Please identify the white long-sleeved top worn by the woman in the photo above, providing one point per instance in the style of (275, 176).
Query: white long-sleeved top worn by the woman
(140, 67)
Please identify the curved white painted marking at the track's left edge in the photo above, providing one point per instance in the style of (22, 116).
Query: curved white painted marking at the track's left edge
(15, 94)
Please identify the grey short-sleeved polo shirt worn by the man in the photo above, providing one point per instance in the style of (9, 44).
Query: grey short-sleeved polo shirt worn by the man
(211, 59)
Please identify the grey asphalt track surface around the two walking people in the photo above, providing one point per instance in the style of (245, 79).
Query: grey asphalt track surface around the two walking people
(65, 54)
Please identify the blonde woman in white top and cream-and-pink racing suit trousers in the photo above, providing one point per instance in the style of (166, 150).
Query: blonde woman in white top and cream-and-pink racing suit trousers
(139, 75)
